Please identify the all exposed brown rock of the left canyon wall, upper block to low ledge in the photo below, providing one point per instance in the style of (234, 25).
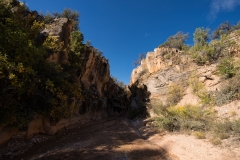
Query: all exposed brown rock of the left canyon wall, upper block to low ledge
(102, 96)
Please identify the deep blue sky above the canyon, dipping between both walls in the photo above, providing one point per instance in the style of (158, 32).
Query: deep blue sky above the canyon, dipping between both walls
(123, 29)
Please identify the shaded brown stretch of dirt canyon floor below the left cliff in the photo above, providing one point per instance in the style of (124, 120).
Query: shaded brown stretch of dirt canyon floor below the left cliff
(113, 139)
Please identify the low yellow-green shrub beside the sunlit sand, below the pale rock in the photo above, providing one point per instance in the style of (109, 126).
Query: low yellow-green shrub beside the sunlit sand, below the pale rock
(184, 118)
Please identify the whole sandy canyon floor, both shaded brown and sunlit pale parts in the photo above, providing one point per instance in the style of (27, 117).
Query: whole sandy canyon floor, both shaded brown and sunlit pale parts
(122, 139)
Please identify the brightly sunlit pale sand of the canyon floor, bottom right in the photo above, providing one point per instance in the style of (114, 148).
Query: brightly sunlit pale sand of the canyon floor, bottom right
(186, 147)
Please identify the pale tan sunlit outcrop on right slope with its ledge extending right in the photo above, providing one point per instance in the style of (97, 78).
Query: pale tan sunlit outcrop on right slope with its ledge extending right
(166, 66)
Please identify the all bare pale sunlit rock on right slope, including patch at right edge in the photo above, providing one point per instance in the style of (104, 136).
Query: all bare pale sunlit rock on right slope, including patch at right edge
(166, 66)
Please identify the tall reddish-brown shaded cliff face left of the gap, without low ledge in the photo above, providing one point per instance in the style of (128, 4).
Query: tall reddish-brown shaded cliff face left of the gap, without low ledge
(101, 92)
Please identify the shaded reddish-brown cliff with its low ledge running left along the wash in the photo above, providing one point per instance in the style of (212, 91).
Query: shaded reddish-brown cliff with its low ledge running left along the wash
(102, 98)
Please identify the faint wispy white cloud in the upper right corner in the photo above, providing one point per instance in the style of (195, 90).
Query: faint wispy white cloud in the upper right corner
(222, 5)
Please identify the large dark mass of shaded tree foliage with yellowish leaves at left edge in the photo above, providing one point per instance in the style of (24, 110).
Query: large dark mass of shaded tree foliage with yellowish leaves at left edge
(29, 83)
